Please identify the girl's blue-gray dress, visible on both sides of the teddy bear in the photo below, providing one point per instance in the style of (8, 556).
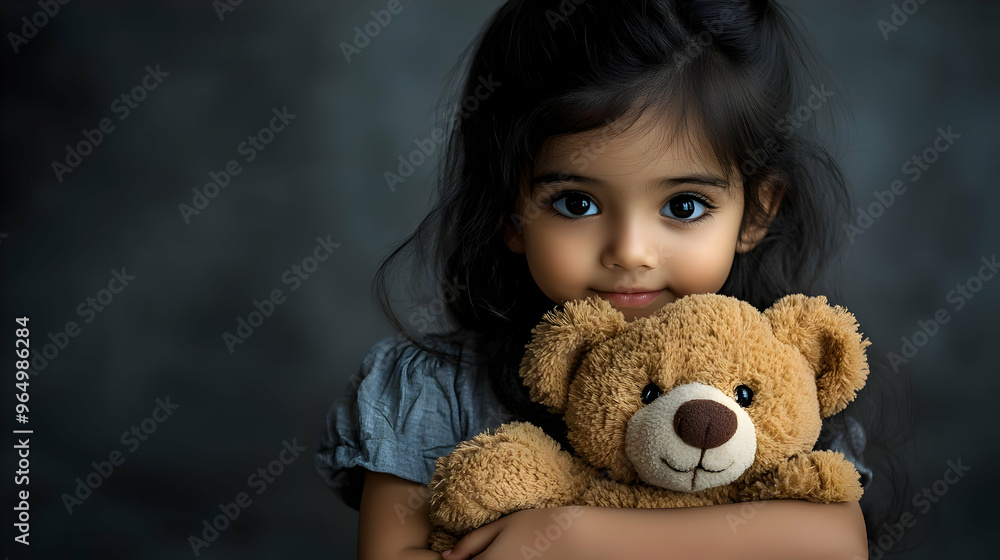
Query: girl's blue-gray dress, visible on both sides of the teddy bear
(405, 408)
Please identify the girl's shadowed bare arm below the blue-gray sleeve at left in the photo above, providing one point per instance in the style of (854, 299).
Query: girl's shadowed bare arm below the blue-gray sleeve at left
(388, 527)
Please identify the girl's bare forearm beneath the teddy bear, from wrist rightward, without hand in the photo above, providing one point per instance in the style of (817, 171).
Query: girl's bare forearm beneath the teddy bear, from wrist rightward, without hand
(767, 530)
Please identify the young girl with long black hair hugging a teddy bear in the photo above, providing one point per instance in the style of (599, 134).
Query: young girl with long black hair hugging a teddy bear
(641, 150)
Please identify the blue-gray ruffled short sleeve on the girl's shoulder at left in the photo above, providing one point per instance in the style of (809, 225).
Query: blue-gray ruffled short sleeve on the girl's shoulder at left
(397, 416)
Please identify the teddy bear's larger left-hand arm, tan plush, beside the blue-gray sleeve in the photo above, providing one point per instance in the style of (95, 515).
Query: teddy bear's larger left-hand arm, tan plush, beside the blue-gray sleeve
(491, 475)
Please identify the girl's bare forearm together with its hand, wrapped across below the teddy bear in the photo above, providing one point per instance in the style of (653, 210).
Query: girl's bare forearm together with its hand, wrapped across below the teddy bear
(772, 530)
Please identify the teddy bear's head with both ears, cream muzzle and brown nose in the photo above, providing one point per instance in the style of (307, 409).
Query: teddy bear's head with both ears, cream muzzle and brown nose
(699, 394)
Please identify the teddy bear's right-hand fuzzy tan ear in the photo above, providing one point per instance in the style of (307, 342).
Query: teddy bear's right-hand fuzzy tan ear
(828, 337)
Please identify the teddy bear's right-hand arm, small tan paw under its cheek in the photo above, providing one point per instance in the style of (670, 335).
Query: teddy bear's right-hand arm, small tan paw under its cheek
(818, 476)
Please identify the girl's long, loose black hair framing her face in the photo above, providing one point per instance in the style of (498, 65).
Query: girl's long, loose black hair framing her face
(739, 72)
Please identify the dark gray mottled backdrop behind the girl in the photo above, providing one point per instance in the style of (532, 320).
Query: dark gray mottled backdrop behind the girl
(323, 176)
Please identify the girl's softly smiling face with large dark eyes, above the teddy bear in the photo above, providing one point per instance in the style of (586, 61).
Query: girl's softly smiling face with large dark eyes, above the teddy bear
(628, 219)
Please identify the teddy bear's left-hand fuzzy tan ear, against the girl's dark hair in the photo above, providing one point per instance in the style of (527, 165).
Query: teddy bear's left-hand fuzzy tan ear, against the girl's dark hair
(559, 343)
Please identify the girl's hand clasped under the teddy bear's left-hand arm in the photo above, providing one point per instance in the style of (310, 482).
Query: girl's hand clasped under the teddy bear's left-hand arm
(551, 533)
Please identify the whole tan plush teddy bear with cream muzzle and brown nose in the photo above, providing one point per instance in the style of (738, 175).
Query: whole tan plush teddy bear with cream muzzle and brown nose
(706, 401)
